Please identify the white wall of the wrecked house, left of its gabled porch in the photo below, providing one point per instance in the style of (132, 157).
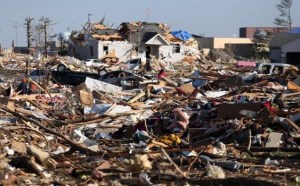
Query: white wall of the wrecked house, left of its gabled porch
(123, 49)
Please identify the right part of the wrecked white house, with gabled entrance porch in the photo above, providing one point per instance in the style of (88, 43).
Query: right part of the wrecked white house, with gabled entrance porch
(157, 40)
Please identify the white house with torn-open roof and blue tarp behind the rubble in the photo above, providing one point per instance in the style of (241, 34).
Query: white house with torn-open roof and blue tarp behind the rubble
(132, 40)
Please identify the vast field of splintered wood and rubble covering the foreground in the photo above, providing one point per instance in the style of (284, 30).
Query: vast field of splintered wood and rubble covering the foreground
(199, 123)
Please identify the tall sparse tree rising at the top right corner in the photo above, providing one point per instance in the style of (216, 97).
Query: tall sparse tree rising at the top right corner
(284, 18)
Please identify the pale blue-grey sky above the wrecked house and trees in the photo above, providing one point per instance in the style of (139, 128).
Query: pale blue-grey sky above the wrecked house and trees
(218, 18)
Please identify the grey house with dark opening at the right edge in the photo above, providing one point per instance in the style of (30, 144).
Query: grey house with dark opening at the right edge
(285, 48)
